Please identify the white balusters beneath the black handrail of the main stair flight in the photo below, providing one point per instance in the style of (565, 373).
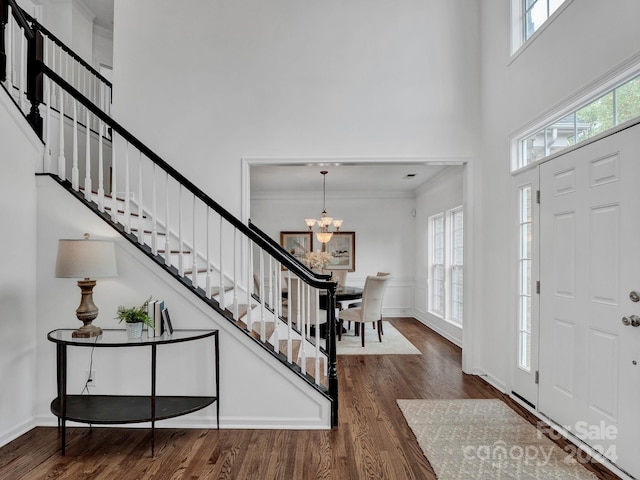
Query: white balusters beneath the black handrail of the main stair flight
(182, 215)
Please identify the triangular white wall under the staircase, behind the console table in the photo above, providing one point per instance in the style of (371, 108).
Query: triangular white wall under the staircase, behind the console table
(256, 391)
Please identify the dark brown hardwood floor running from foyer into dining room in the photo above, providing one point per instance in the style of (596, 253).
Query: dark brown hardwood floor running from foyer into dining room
(372, 440)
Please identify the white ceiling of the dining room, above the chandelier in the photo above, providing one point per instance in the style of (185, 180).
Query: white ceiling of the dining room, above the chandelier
(384, 177)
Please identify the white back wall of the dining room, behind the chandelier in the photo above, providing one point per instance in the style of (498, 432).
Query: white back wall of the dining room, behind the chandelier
(384, 228)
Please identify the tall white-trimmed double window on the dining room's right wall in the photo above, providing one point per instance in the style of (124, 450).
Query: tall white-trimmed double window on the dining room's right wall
(446, 265)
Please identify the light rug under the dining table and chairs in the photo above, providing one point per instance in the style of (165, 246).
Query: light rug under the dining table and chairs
(393, 342)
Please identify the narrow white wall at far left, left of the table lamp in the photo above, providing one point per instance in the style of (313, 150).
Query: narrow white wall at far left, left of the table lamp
(21, 150)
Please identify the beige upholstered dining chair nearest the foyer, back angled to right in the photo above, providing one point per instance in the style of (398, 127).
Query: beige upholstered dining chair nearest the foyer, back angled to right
(370, 311)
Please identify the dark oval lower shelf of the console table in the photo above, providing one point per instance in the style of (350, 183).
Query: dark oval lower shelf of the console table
(114, 409)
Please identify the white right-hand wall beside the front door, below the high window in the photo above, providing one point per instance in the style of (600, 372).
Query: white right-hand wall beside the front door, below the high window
(587, 40)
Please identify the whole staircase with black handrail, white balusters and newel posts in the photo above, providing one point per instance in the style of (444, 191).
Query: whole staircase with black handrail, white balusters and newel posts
(233, 267)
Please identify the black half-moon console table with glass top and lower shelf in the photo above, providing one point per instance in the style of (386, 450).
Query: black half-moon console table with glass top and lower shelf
(117, 409)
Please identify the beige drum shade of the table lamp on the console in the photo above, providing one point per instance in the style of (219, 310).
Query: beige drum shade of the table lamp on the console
(86, 259)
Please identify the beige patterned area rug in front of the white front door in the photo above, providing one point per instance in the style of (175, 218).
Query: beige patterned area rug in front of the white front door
(487, 440)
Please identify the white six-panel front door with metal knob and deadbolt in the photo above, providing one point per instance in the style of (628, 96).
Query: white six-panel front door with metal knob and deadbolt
(590, 264)
